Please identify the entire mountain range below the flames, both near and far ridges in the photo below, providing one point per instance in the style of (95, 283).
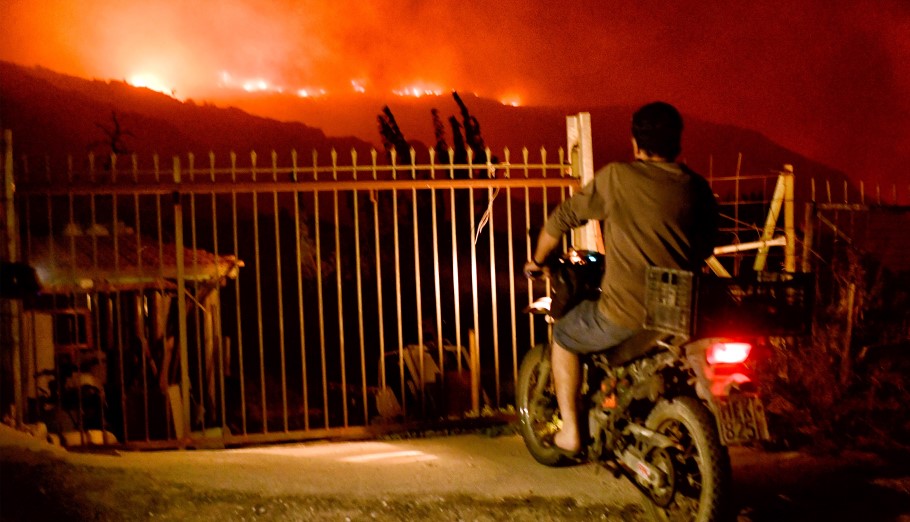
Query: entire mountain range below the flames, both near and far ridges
(54, 114)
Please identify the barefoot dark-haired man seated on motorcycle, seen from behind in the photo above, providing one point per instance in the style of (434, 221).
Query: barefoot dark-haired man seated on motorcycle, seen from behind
(655, 212)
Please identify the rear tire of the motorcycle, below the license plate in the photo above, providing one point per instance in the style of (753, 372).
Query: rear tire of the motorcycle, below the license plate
(701, 490)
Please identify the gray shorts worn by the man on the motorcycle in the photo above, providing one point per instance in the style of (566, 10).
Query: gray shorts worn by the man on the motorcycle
(585, 330)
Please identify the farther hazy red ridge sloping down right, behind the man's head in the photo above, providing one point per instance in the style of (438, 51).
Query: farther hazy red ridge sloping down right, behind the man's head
(708, 147)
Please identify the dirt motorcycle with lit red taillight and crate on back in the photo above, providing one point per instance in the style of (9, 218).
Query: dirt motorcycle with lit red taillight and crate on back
(663, 407)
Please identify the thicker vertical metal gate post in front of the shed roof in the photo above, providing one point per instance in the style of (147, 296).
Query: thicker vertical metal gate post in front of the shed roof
(181, 311)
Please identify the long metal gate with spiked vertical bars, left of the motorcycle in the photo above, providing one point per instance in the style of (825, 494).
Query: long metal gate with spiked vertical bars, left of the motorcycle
(319, 299)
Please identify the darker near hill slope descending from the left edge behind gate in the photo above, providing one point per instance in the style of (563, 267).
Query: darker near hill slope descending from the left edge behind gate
(53, 115)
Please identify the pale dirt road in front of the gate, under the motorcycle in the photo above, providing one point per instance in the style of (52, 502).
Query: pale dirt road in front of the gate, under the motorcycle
(465, 477)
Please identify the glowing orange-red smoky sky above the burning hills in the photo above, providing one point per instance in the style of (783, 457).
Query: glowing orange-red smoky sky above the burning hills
(829, 82)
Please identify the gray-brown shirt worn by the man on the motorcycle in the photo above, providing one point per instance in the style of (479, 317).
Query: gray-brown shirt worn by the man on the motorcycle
(654, 214)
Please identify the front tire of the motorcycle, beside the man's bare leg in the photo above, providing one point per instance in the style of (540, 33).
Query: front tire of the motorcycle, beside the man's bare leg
(538, 413)
